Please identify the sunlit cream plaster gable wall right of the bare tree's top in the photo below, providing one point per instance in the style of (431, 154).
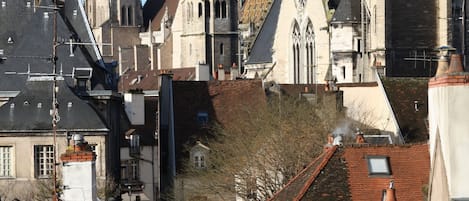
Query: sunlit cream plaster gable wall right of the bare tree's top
(367, 104)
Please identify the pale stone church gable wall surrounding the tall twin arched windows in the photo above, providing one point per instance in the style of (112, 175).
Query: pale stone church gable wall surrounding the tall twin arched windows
(315, 11)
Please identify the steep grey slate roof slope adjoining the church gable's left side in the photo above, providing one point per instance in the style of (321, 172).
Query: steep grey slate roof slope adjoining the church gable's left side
(261, 51)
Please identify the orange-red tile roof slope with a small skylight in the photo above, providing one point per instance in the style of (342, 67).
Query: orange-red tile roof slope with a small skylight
(410, 166)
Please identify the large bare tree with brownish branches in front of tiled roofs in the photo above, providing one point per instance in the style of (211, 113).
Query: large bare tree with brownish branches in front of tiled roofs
(257, 153)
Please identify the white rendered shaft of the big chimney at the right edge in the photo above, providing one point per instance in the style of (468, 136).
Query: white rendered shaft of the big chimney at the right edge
(448, 117)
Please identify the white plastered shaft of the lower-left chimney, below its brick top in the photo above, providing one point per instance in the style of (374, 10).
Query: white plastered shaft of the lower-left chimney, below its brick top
(78, 177)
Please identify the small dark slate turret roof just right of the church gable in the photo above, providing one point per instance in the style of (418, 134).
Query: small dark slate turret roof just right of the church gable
(348, 11)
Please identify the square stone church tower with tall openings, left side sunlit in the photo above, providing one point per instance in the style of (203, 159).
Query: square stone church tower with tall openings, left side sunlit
(208, 34)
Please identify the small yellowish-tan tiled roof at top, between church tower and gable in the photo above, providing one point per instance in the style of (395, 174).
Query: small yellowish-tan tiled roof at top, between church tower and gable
(254, 11)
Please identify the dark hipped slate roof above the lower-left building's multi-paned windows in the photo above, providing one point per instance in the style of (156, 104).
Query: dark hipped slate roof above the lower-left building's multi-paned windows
(27, 116)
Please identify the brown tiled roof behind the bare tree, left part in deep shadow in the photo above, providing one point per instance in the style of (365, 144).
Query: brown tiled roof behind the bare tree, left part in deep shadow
(219, 99)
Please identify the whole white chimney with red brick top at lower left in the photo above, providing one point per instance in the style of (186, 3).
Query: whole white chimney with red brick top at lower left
(79, 171)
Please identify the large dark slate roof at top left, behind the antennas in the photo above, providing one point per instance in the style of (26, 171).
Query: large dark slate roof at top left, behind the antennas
(32, 34)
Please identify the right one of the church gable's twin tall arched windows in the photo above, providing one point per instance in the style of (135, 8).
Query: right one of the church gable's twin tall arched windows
(310, 53)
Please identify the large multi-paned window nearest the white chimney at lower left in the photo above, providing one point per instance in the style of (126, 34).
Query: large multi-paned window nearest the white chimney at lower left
(43, 160)
